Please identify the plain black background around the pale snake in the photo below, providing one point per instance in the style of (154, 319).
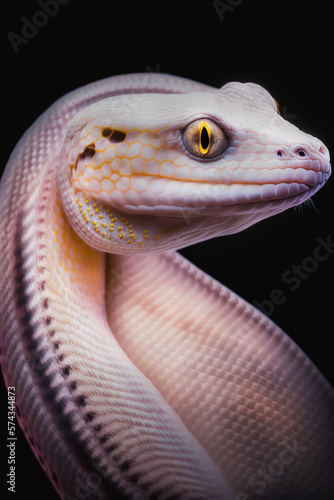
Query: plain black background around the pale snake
(285, 46)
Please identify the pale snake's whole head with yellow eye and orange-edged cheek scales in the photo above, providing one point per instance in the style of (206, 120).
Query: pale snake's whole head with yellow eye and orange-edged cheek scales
(151, 172)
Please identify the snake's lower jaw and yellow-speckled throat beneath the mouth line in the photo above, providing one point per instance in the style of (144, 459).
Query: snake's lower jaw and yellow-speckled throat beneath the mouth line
(154, 229)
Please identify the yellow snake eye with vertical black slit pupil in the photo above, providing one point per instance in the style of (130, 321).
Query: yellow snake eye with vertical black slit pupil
(205, 139)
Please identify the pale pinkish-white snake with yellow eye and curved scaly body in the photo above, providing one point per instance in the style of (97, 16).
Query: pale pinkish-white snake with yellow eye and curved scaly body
(137, 375)
